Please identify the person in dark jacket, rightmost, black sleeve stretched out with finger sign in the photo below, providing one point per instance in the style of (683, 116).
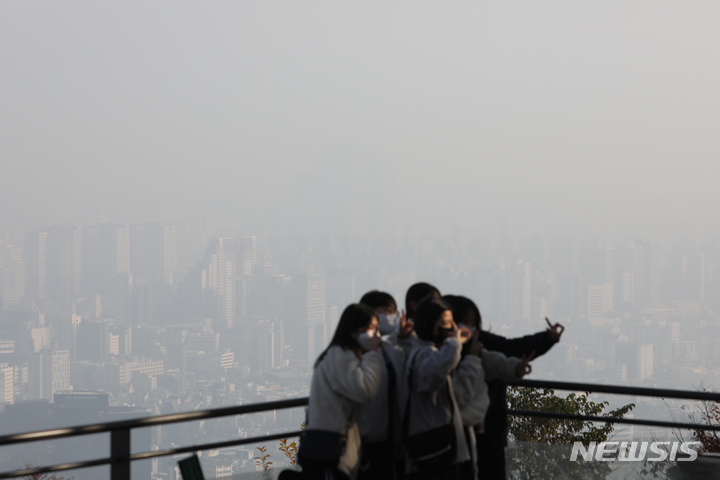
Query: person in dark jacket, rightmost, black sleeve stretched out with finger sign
(492, 442)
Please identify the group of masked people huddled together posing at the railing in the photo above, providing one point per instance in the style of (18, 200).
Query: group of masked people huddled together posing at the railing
(416, 394)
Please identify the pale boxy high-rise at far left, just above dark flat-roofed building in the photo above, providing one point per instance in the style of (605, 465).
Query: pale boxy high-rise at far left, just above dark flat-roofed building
(49, 372)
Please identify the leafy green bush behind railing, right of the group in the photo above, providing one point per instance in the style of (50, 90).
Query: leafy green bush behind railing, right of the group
(541, 446)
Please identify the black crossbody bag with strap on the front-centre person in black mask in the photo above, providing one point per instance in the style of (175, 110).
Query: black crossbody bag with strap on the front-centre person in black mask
(431, 449)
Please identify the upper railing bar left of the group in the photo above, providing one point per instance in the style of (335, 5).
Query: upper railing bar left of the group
(151, 421)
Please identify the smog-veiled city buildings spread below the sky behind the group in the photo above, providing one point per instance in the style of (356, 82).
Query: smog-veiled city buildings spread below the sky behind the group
(156, 318)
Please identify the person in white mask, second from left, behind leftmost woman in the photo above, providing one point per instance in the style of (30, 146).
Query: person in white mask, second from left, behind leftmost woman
(380, 424)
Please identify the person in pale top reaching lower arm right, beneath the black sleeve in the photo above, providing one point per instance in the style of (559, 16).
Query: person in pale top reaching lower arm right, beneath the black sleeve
(469, 382)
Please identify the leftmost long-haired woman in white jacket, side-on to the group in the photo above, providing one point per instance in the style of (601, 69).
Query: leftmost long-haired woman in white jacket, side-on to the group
(347, 377)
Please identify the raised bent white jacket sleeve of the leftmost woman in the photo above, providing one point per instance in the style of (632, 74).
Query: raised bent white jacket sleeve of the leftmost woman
(354, 379)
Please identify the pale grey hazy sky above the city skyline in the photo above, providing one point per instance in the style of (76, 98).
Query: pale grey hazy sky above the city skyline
(562, 115)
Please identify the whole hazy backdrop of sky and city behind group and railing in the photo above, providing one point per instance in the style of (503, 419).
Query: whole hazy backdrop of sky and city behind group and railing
(192, 193)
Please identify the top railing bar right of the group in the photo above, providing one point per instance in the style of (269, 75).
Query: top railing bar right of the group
(617, 389)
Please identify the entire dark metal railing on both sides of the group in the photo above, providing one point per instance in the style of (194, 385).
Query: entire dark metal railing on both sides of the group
(121, 457)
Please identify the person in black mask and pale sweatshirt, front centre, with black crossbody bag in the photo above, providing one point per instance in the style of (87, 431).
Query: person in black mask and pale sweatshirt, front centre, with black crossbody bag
(432, 427)
